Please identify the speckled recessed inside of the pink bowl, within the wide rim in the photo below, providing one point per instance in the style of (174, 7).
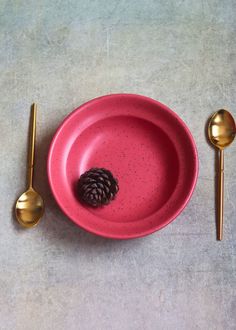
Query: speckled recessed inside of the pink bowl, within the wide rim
(139, 154)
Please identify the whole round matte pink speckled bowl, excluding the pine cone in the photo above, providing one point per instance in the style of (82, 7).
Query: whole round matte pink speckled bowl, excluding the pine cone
(146, 146)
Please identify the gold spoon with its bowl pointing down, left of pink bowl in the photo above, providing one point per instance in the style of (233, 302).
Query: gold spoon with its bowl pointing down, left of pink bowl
(29, 206)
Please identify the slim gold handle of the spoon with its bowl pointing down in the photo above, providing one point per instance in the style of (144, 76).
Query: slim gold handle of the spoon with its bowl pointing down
(31, 144)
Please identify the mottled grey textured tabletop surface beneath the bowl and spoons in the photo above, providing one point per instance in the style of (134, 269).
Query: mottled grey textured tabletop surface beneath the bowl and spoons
(61, 54)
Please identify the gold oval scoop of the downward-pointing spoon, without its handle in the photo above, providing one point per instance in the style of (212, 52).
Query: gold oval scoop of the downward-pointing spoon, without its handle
(29, 208)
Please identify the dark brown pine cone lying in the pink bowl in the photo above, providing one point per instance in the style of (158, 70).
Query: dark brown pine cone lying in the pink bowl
(97, 187)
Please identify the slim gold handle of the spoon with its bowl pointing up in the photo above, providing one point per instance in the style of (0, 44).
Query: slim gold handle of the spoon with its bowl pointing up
(221, 196)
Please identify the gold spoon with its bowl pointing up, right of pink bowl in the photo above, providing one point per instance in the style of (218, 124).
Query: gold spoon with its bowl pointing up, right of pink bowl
(221, 132)
